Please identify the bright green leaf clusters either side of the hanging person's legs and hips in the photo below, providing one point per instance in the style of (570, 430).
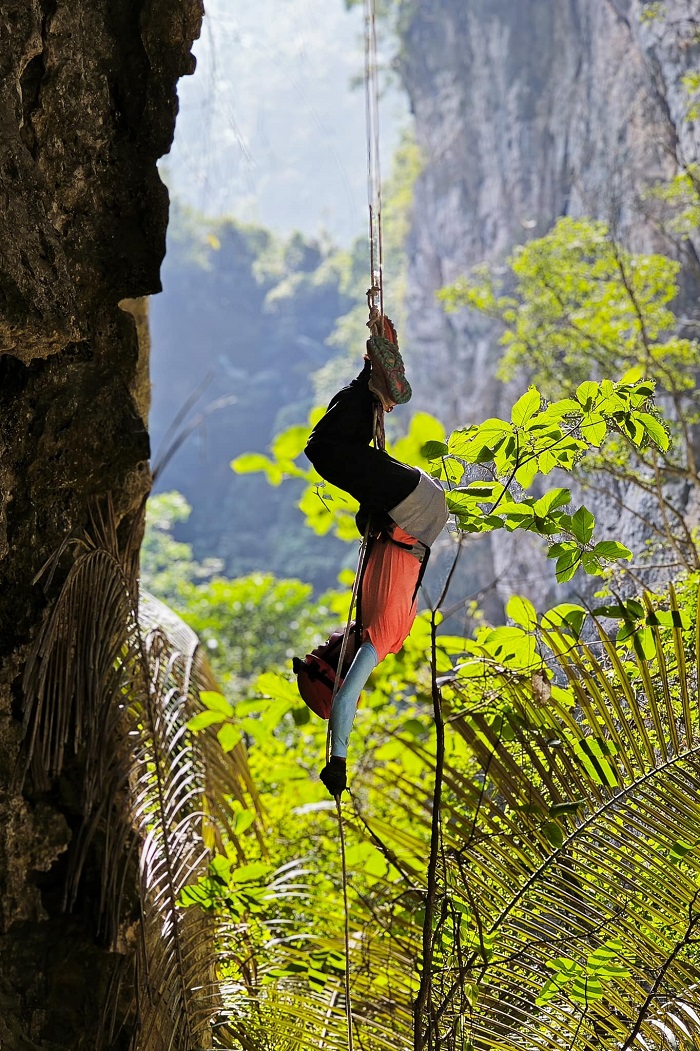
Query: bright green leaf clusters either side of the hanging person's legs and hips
(488, 466)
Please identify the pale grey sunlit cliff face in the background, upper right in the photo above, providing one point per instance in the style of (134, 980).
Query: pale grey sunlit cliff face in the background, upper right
(527, 111)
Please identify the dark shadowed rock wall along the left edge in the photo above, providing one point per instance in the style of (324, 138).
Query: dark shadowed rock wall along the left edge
(88, 106)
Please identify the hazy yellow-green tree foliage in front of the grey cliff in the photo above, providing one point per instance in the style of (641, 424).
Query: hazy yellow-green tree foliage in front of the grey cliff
(581, 307)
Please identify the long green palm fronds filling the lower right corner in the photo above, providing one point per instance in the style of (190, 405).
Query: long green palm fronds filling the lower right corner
(571, 871)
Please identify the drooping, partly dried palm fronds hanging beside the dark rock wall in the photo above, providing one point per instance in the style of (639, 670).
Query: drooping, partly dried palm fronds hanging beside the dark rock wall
(110, 690)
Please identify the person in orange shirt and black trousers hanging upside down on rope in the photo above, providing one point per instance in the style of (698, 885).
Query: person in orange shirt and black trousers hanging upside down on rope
(406, 512)
